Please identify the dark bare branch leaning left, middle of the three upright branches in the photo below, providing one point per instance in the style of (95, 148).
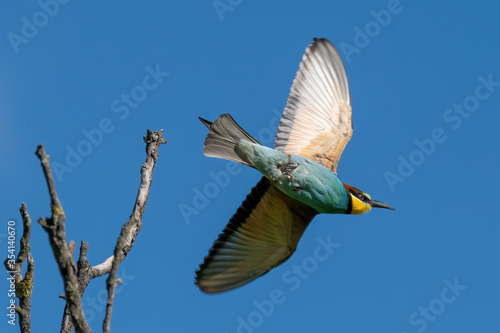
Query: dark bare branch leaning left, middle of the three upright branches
(63, 252)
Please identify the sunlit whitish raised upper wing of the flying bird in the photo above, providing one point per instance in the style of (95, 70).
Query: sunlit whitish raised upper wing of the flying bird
(317, 120)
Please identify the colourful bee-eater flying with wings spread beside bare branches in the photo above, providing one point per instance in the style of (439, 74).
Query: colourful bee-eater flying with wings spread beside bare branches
(299, 176)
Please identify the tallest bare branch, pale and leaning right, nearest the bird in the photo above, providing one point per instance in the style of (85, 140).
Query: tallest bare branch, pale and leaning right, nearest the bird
(132, 227)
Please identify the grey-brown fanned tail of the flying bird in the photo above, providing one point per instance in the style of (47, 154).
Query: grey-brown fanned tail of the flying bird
(223, 138)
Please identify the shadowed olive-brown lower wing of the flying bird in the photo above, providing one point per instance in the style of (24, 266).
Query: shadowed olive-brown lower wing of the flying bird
(262, 234)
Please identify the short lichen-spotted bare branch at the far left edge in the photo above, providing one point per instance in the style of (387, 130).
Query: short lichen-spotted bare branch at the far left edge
(24, 287)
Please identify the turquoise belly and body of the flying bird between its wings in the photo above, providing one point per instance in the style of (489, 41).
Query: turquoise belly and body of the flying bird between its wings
(300, 178)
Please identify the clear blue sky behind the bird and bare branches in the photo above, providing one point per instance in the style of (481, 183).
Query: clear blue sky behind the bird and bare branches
(425, 86)
